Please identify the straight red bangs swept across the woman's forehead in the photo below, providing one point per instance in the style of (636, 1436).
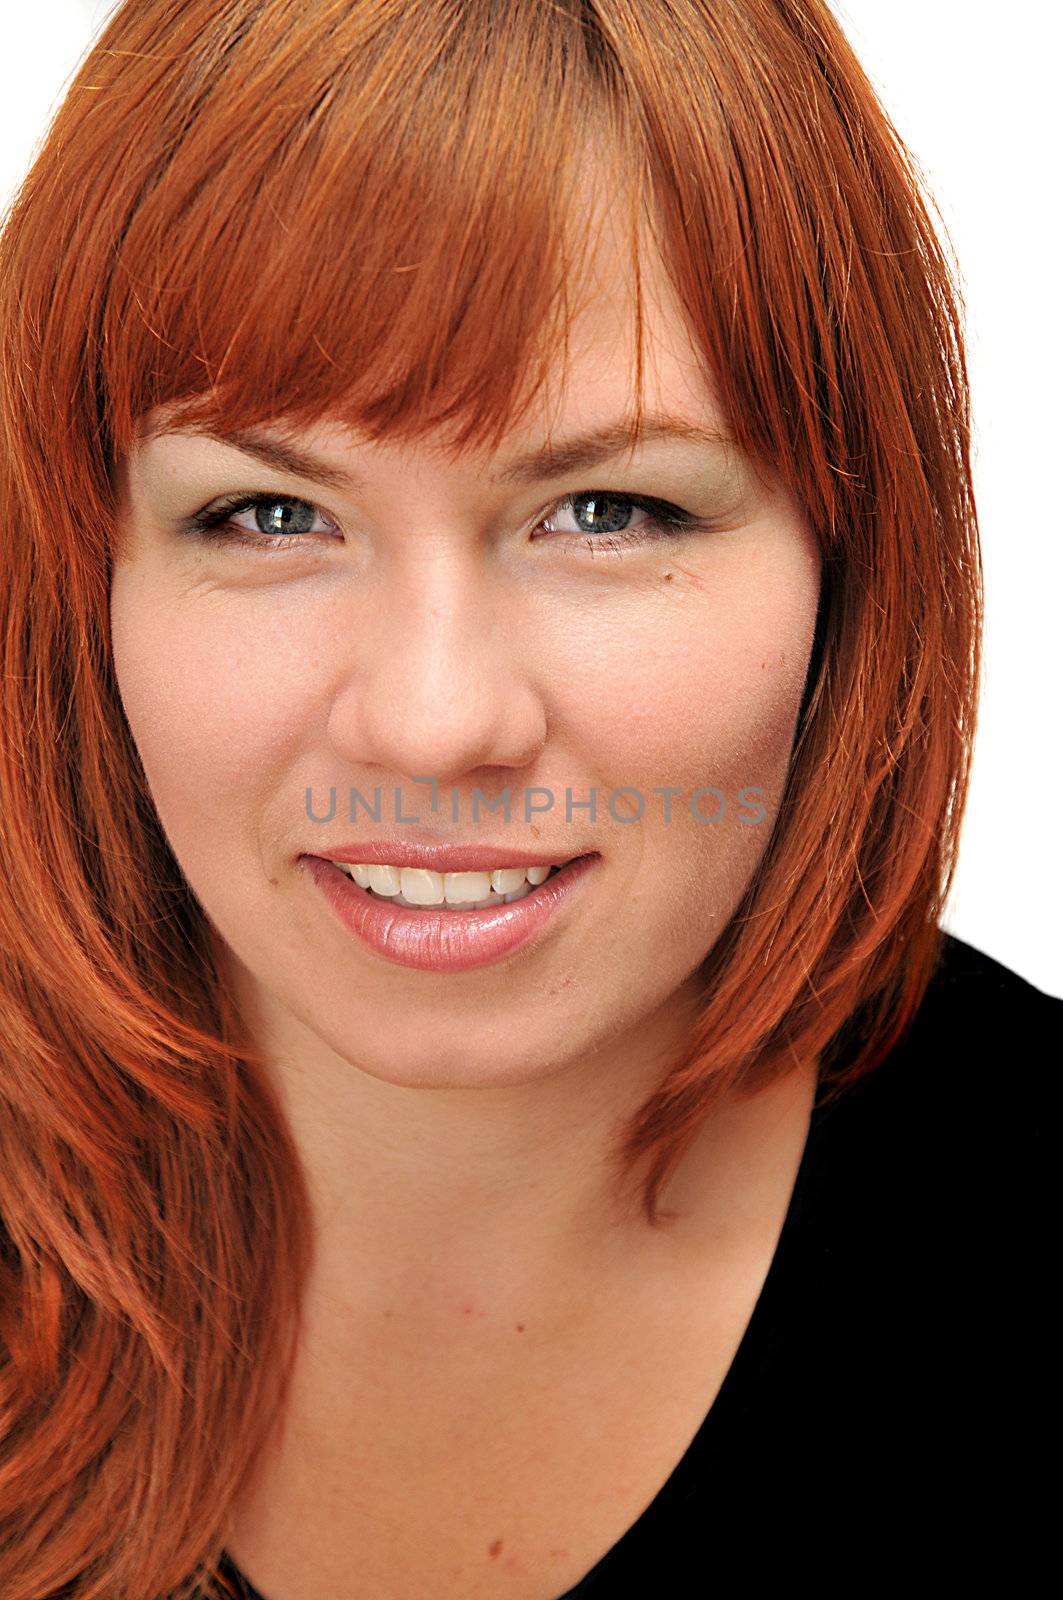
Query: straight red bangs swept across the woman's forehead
(387, 249)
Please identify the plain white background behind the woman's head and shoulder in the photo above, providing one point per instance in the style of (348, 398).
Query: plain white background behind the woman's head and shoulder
(973, 89)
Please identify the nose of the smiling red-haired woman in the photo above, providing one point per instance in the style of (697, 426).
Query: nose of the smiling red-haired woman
(438, 682)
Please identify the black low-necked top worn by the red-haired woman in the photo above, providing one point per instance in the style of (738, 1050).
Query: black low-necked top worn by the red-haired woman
(888, 1407)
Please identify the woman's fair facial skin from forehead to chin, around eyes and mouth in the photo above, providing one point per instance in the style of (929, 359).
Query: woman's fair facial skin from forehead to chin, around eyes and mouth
(441, 620)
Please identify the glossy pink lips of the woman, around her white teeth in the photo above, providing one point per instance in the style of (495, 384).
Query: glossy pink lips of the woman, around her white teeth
(446, 942)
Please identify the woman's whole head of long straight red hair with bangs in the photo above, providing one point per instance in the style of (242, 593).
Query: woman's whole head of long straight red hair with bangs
(257, 209)
